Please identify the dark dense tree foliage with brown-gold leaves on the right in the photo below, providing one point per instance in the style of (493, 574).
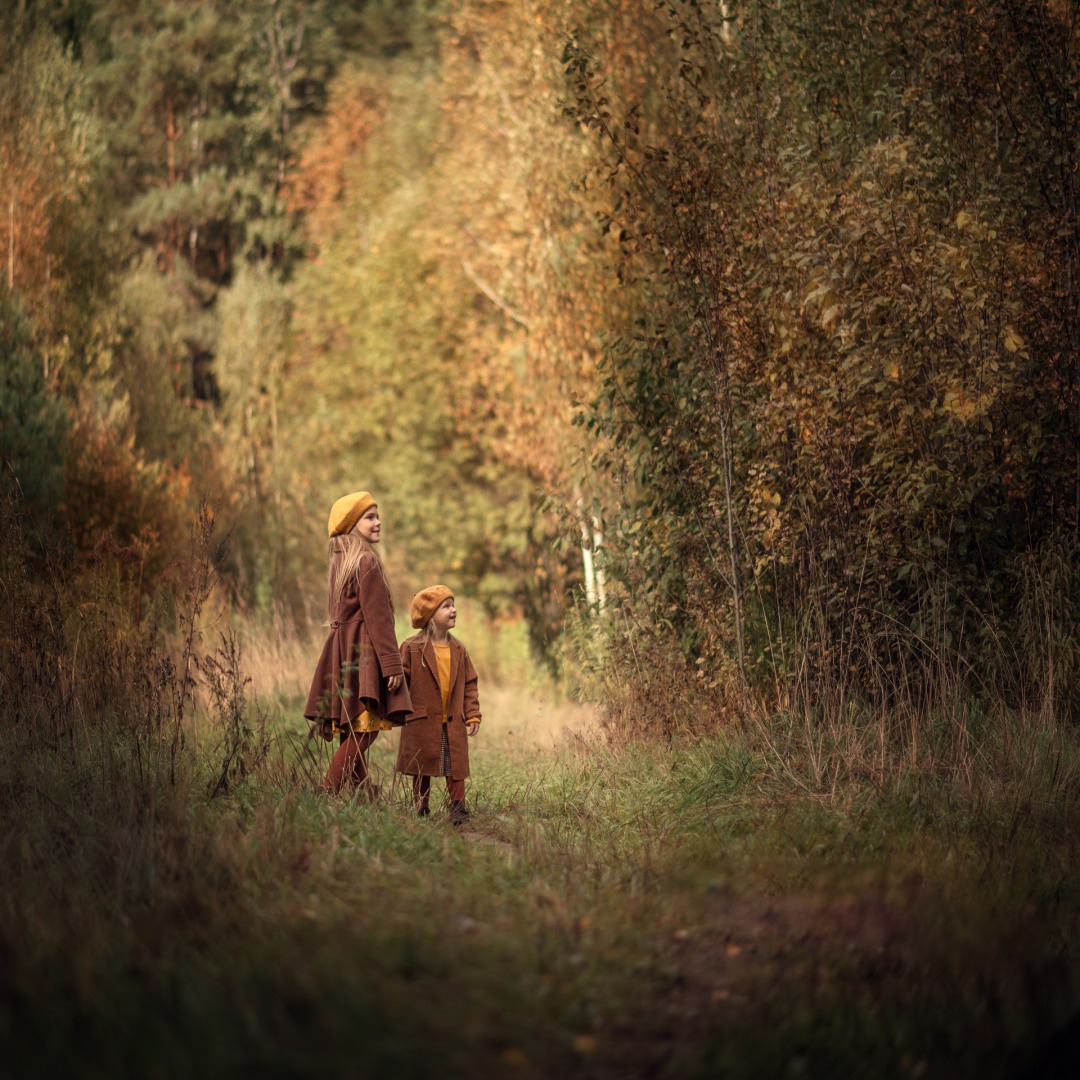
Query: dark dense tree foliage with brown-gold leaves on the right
(855, 368)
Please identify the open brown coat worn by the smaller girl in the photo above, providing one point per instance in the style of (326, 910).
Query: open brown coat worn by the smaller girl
(423, 735)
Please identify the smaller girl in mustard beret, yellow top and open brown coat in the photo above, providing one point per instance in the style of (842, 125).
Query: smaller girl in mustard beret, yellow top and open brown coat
(445, 705)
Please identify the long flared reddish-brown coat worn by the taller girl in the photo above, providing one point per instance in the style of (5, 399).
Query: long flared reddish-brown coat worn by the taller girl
(360, 655)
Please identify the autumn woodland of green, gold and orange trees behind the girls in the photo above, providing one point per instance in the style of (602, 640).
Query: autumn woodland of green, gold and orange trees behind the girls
(760, 321)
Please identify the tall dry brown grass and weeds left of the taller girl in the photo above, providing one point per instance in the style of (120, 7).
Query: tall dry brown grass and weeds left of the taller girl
(99, 703)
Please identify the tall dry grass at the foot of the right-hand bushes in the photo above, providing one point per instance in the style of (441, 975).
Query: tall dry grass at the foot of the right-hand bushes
(988, 732)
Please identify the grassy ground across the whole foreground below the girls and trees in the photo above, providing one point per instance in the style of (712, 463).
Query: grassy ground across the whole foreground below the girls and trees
(682, 910)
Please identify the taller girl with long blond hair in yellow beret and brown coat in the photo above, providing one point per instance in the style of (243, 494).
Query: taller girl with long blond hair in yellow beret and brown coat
(359, 687)
